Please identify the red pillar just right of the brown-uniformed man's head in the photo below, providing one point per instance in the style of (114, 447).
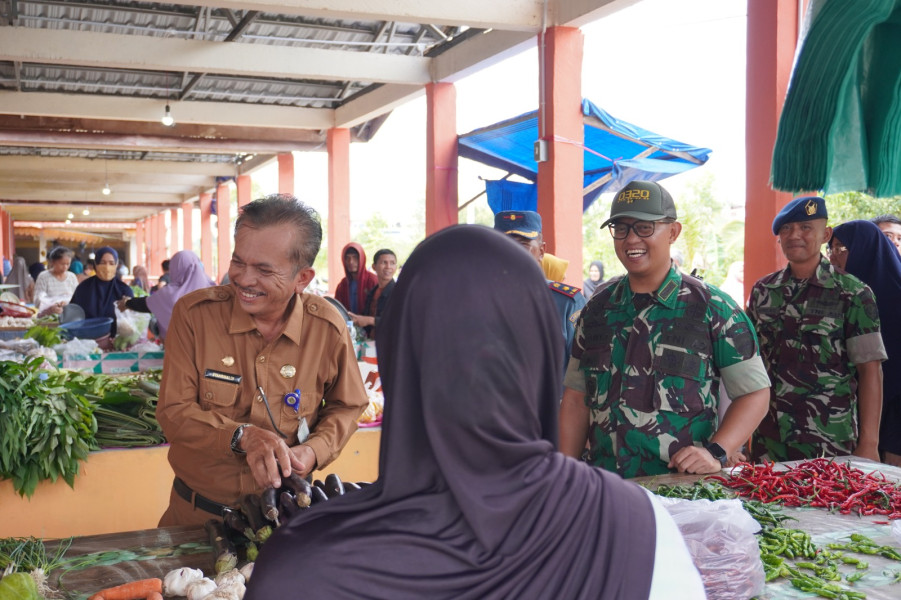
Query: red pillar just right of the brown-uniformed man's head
(338, 235)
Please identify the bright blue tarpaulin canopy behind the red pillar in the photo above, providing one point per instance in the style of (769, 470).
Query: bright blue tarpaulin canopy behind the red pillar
(616, 152)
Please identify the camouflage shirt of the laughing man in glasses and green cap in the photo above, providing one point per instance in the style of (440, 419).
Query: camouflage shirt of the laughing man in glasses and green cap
(650, 367)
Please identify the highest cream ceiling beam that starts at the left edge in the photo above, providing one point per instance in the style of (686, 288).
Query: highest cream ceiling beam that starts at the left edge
(148, 53)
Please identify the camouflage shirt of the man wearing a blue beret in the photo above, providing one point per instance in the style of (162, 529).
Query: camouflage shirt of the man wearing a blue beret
(812, 332)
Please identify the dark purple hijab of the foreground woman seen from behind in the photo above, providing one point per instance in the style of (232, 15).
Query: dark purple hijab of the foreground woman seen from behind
(473, 500)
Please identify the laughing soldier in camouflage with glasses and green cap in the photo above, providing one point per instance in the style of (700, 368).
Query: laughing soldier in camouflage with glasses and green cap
(651, 348)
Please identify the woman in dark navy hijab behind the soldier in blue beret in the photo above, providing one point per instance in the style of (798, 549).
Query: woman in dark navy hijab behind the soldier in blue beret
(861, 249)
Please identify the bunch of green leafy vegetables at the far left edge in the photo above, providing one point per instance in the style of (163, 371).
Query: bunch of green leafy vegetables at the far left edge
(48, 429)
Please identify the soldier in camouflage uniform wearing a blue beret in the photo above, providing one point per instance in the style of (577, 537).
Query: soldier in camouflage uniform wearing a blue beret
(820, 340)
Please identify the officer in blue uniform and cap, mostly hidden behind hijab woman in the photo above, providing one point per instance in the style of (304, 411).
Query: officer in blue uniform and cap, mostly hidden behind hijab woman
(524, 226)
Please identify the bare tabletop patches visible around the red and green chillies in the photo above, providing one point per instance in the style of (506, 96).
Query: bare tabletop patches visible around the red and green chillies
(880, 580)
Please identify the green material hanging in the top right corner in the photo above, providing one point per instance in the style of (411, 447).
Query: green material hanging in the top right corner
(839, 125)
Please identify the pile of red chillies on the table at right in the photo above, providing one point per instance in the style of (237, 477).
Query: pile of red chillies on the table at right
(823, 483)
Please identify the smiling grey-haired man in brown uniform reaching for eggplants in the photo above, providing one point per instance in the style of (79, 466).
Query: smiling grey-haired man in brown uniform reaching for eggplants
(259, 379)
